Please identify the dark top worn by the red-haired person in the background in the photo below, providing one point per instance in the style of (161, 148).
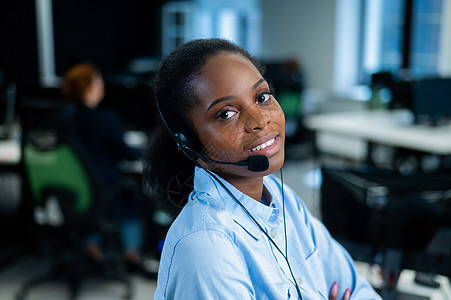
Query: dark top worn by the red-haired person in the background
(101, 133)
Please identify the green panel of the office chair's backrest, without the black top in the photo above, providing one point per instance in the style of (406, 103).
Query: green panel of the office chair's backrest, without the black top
(59, 181)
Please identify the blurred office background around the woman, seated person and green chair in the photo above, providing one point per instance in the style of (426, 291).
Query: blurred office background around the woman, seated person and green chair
(365, 86)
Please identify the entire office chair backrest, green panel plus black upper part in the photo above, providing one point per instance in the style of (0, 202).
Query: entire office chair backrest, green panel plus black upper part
(64, 188)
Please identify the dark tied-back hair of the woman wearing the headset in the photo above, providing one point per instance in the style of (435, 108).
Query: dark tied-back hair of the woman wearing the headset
(175, 88)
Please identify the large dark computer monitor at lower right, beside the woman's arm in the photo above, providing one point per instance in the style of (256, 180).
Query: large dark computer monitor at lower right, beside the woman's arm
(370, 210)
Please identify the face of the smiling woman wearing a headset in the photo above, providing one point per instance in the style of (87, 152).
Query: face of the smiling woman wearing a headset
(237, 115)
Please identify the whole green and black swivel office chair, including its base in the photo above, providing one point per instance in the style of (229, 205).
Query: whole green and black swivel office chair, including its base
(68, 203)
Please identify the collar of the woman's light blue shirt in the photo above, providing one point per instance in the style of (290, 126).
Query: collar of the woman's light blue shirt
(216, 195)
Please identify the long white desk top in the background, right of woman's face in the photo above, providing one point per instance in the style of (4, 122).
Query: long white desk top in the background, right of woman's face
(391, 128)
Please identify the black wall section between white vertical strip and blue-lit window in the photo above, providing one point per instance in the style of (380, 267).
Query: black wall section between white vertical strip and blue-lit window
(105, 32)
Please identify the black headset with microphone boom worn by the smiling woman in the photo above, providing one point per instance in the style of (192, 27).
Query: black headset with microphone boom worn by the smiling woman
(254, 163)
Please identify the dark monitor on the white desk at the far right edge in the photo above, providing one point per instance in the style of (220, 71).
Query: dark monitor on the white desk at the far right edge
(432, 100)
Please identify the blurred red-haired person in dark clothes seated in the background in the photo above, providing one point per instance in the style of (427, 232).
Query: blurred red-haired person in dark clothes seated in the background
(101, 134)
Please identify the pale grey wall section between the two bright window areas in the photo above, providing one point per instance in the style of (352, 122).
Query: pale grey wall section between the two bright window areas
(303, 29)
